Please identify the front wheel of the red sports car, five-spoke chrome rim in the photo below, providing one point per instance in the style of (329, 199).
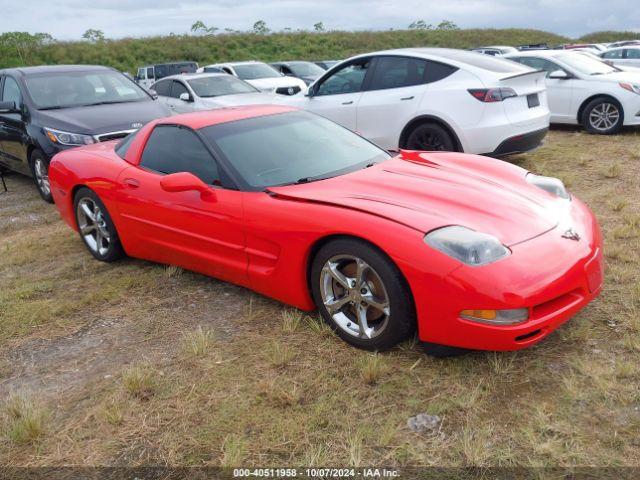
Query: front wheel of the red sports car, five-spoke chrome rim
(362, 295)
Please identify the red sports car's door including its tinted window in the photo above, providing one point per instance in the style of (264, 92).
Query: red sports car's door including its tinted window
(199, 233)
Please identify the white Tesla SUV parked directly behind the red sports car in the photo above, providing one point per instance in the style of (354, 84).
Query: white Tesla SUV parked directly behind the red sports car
(434, 99)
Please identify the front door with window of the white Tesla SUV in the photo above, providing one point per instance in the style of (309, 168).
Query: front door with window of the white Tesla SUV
(337, 95)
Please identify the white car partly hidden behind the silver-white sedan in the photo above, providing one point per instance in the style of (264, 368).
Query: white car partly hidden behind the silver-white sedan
(262, 76)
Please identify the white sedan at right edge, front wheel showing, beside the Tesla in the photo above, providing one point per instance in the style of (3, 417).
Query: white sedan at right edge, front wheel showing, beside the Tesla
(585, 91)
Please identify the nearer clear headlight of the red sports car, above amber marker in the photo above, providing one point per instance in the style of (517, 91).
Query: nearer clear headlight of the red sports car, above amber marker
(468, 246)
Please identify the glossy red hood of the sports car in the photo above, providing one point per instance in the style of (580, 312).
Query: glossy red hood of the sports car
(434, 190)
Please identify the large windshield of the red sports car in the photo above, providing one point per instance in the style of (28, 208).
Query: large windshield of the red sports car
(292, 147)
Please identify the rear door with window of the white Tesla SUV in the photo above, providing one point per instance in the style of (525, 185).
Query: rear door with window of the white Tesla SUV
(391, 99)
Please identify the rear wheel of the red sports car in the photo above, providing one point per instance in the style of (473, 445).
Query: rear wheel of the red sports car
(95, 226)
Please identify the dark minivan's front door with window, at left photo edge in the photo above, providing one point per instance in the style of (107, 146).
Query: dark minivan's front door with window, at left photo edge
(13, 129)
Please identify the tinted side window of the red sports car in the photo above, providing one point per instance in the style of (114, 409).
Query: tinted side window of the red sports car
(172, 149)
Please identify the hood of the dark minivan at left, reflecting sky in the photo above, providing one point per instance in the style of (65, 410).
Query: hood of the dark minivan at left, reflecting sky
(99, 119)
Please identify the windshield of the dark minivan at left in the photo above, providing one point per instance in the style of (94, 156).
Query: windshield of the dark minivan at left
(75, 89)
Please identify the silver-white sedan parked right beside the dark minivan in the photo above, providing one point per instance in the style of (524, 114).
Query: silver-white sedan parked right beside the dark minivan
(206, 91)
